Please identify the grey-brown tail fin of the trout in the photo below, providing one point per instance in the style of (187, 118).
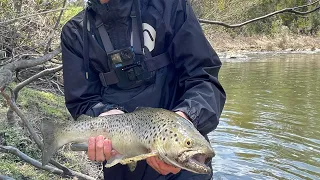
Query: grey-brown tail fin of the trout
(49, 130)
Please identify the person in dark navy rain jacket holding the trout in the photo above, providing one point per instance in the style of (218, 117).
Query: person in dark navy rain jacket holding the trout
(181, 72)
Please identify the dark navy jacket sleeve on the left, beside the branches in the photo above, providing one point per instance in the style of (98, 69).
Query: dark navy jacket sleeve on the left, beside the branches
(82, 96)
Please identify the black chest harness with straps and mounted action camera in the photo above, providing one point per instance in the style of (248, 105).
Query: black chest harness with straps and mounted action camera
(128, 67)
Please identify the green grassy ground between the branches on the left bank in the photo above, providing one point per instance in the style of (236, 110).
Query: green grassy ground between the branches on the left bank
(35, 105)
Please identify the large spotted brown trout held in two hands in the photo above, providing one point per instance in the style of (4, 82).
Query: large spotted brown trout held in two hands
(144, 133)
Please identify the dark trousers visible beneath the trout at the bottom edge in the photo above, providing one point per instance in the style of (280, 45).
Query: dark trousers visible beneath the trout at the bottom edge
(144, 172)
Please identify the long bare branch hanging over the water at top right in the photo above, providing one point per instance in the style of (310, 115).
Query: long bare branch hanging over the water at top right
(289, 10)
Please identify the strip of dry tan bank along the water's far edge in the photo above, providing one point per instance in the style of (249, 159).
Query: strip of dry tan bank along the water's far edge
(231, 47)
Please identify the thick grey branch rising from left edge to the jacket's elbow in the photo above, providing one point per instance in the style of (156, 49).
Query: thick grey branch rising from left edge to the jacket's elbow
(6, 71)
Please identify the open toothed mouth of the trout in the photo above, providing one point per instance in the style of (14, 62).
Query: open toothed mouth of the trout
(196, 162)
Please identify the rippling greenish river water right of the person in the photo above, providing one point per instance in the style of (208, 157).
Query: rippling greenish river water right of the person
(270, 127)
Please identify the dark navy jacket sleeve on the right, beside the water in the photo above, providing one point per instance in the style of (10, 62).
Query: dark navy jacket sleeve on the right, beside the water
(202, 96)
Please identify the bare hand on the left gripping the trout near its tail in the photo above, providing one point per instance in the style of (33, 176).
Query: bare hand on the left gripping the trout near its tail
(99, 148)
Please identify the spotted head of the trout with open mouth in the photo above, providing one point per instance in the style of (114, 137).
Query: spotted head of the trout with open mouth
(183, 146)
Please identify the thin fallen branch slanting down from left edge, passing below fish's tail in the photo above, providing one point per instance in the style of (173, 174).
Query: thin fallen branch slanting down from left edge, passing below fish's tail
(35, 137)
